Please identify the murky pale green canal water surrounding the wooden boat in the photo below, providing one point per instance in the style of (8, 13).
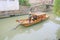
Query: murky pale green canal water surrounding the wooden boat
(46, 30)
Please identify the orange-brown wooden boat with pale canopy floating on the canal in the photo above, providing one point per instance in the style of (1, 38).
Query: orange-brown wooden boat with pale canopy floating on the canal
(40, 17)
